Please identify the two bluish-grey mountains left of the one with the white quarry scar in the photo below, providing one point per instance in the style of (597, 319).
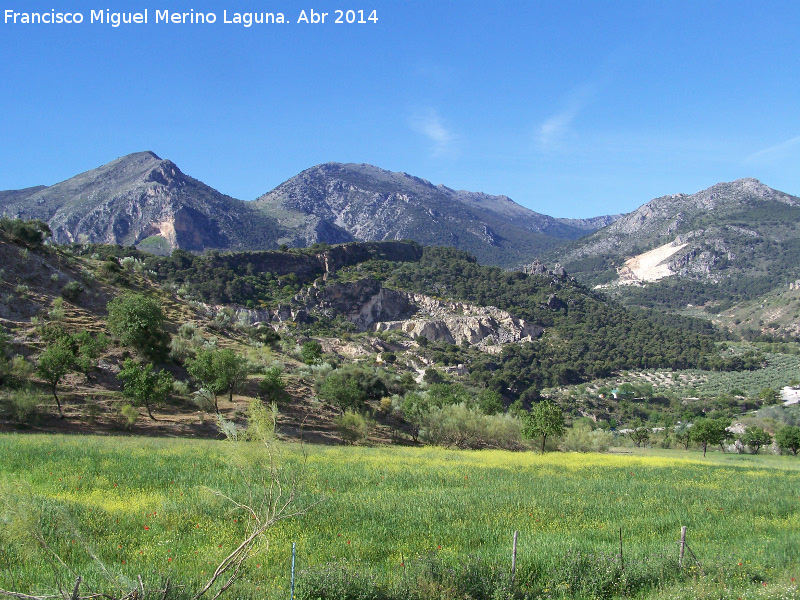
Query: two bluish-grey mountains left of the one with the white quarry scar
(143, 200)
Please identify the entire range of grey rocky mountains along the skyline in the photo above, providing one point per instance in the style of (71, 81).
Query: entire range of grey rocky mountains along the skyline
(732, 241)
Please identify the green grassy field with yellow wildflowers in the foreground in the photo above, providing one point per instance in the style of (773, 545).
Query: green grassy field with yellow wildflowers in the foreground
(395, 514)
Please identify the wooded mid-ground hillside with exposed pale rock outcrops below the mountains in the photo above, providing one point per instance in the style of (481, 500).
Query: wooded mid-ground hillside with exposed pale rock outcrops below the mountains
(385, 312)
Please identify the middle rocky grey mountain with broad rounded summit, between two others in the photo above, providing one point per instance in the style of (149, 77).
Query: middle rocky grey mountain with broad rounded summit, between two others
(338, 202)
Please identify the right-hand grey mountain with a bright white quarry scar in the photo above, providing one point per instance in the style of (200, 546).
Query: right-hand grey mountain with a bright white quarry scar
(731, 242)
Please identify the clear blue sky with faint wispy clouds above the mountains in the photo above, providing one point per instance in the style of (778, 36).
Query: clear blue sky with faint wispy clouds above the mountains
(573, 109)
